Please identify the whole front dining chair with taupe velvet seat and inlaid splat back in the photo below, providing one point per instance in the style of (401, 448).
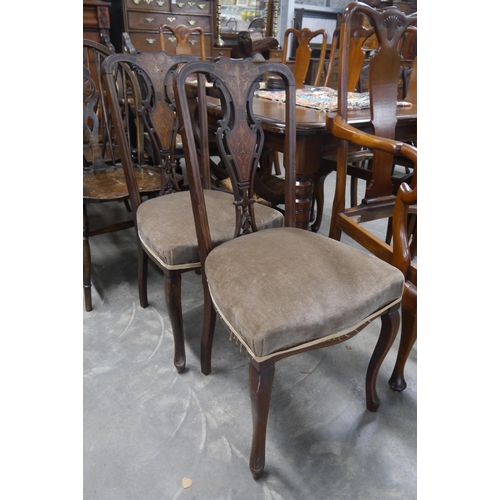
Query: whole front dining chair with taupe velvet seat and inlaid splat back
(328, 291)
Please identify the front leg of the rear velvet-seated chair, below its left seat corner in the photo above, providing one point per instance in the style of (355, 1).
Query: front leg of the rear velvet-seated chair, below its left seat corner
(172, 285)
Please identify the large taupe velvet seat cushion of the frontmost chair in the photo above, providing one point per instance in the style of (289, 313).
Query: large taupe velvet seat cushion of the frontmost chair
(282, 287)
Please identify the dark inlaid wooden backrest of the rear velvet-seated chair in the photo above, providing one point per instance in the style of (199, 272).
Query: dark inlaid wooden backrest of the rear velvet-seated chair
(142, 107)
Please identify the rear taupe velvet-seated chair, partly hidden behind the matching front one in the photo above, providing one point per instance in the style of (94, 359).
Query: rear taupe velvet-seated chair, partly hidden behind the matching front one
(165, 228)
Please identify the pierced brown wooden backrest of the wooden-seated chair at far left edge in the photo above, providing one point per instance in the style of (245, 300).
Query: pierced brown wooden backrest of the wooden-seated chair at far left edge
(97, 133)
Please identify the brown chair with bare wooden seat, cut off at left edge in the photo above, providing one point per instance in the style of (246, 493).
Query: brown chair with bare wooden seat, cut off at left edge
(103, 178)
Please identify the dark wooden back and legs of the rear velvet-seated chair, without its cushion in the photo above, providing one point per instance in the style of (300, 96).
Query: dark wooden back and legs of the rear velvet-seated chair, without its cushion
(146, 79)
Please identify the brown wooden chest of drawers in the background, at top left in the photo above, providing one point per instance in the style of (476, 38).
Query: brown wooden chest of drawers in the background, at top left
(142, 19)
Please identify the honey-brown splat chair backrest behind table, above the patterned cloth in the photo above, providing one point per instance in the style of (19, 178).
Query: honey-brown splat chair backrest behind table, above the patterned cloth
(304, 52)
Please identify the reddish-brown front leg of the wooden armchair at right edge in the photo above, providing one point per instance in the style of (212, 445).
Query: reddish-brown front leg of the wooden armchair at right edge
(397, 381)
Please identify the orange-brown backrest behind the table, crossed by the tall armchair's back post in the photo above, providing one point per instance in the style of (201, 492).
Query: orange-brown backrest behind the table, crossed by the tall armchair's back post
(359, 34)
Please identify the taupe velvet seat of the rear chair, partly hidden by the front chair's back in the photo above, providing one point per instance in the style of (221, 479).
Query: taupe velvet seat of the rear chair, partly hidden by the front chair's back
(166, 225)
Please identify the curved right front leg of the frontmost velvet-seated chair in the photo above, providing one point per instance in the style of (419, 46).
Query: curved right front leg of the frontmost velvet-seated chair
(388, 332)
